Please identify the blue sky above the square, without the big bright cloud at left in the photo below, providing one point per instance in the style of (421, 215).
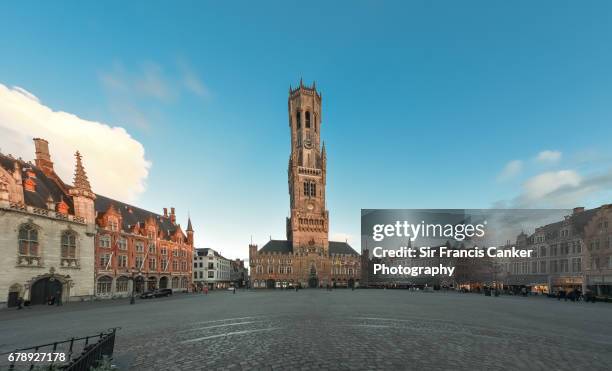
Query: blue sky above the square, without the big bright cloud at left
(427, 104)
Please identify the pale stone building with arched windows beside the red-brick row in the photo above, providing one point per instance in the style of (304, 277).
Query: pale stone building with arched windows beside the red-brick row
(46, 231)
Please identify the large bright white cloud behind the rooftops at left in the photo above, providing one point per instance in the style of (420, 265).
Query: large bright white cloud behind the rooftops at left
(115, 162)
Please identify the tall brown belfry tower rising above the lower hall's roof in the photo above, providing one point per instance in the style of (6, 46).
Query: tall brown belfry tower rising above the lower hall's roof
(307, 225)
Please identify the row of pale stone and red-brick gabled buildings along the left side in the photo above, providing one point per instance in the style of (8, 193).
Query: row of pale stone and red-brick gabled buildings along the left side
(68, 243)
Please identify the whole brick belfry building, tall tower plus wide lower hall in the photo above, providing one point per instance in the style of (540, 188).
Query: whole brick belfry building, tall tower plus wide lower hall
(306, 257)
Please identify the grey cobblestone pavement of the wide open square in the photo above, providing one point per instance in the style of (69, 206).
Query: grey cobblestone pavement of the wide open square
(338, 330)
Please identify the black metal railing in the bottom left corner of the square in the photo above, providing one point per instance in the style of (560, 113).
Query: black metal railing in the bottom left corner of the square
(74, 354)
